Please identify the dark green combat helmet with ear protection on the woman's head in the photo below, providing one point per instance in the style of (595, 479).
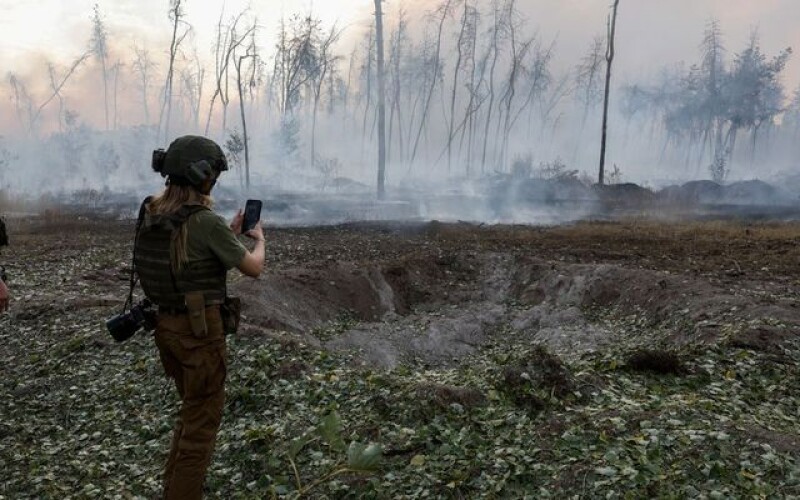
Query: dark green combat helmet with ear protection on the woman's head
(190, 160)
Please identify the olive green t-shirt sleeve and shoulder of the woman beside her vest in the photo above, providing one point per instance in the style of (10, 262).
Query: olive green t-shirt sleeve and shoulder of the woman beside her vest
(209, 235)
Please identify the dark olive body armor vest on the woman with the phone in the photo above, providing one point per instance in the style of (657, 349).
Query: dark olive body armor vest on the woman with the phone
(152, 262)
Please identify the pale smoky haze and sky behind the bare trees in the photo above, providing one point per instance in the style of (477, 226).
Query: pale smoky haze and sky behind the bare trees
(59, 141)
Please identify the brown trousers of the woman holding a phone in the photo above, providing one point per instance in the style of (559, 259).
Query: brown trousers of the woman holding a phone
(198, 367)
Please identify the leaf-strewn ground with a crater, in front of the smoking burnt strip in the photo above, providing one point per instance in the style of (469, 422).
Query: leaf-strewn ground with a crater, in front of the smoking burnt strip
(592, 359)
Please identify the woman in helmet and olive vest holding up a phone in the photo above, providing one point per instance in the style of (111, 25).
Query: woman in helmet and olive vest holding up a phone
(182, 254)
